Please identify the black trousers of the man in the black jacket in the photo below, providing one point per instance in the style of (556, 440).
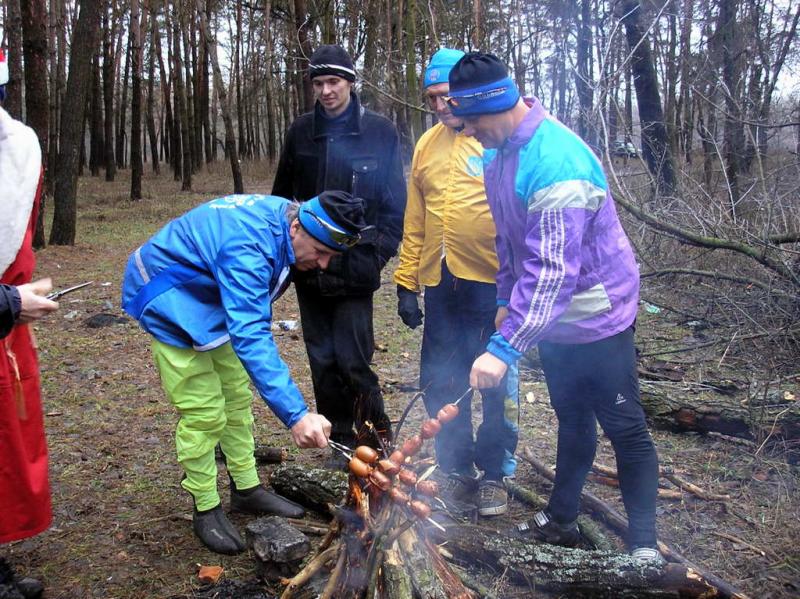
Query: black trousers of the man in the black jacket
(340, 343)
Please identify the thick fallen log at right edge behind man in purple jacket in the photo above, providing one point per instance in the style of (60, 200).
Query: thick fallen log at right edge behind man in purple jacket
(721, 414)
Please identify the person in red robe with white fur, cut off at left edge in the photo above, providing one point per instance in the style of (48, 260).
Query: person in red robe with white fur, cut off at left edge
(24, 488)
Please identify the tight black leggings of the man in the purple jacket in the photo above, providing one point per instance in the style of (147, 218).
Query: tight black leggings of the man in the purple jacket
(597, 382)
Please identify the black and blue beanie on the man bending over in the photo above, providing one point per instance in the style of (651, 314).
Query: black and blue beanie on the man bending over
(334, 218)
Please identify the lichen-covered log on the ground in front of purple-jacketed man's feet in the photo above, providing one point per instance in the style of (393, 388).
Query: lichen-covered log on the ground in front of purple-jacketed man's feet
(577, 571)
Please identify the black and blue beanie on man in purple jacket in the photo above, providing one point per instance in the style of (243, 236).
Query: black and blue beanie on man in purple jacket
(479, 84)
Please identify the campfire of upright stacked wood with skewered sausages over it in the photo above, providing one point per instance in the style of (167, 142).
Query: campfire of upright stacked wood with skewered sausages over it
(378, 545)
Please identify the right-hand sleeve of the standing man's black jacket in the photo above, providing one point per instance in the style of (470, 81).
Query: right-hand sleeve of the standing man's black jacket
(390, 223)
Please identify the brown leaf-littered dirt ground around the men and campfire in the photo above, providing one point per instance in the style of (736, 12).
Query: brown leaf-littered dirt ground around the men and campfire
(121, 524)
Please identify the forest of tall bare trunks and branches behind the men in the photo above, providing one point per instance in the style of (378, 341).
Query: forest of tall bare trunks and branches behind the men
(706, 92)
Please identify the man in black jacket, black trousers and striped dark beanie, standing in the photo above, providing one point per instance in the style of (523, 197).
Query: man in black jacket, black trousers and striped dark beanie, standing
(342, 146)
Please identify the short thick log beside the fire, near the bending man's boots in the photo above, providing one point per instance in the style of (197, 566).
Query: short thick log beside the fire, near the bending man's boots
(315, 488)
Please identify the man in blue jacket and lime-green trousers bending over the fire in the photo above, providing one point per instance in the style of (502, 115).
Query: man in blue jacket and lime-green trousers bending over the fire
(203, 288)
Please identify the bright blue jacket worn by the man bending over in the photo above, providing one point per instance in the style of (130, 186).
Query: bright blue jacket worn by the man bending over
(209, 277)
